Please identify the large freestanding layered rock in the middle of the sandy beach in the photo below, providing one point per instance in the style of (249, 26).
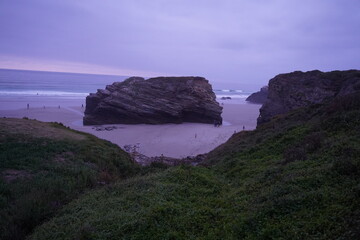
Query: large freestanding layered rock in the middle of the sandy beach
(153, 101)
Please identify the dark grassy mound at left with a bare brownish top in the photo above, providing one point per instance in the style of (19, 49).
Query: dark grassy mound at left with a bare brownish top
(43, 166)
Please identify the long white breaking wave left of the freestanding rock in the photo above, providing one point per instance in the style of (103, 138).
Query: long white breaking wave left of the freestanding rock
(43, 93)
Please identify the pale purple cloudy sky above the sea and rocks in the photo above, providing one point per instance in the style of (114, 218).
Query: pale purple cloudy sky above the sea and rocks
(233, 43)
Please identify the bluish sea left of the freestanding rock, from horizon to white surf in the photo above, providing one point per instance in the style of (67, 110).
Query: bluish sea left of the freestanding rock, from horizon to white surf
(52, 84)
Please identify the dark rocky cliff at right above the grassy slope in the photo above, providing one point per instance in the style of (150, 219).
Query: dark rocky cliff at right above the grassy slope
(300, 89)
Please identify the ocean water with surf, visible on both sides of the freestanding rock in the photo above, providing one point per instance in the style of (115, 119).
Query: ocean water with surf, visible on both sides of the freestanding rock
(49, 88)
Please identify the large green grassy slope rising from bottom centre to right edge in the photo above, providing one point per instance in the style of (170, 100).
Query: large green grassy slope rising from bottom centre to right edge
(296, 177)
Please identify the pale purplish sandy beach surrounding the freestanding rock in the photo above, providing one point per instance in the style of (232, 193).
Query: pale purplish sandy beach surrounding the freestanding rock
(172, 140)
